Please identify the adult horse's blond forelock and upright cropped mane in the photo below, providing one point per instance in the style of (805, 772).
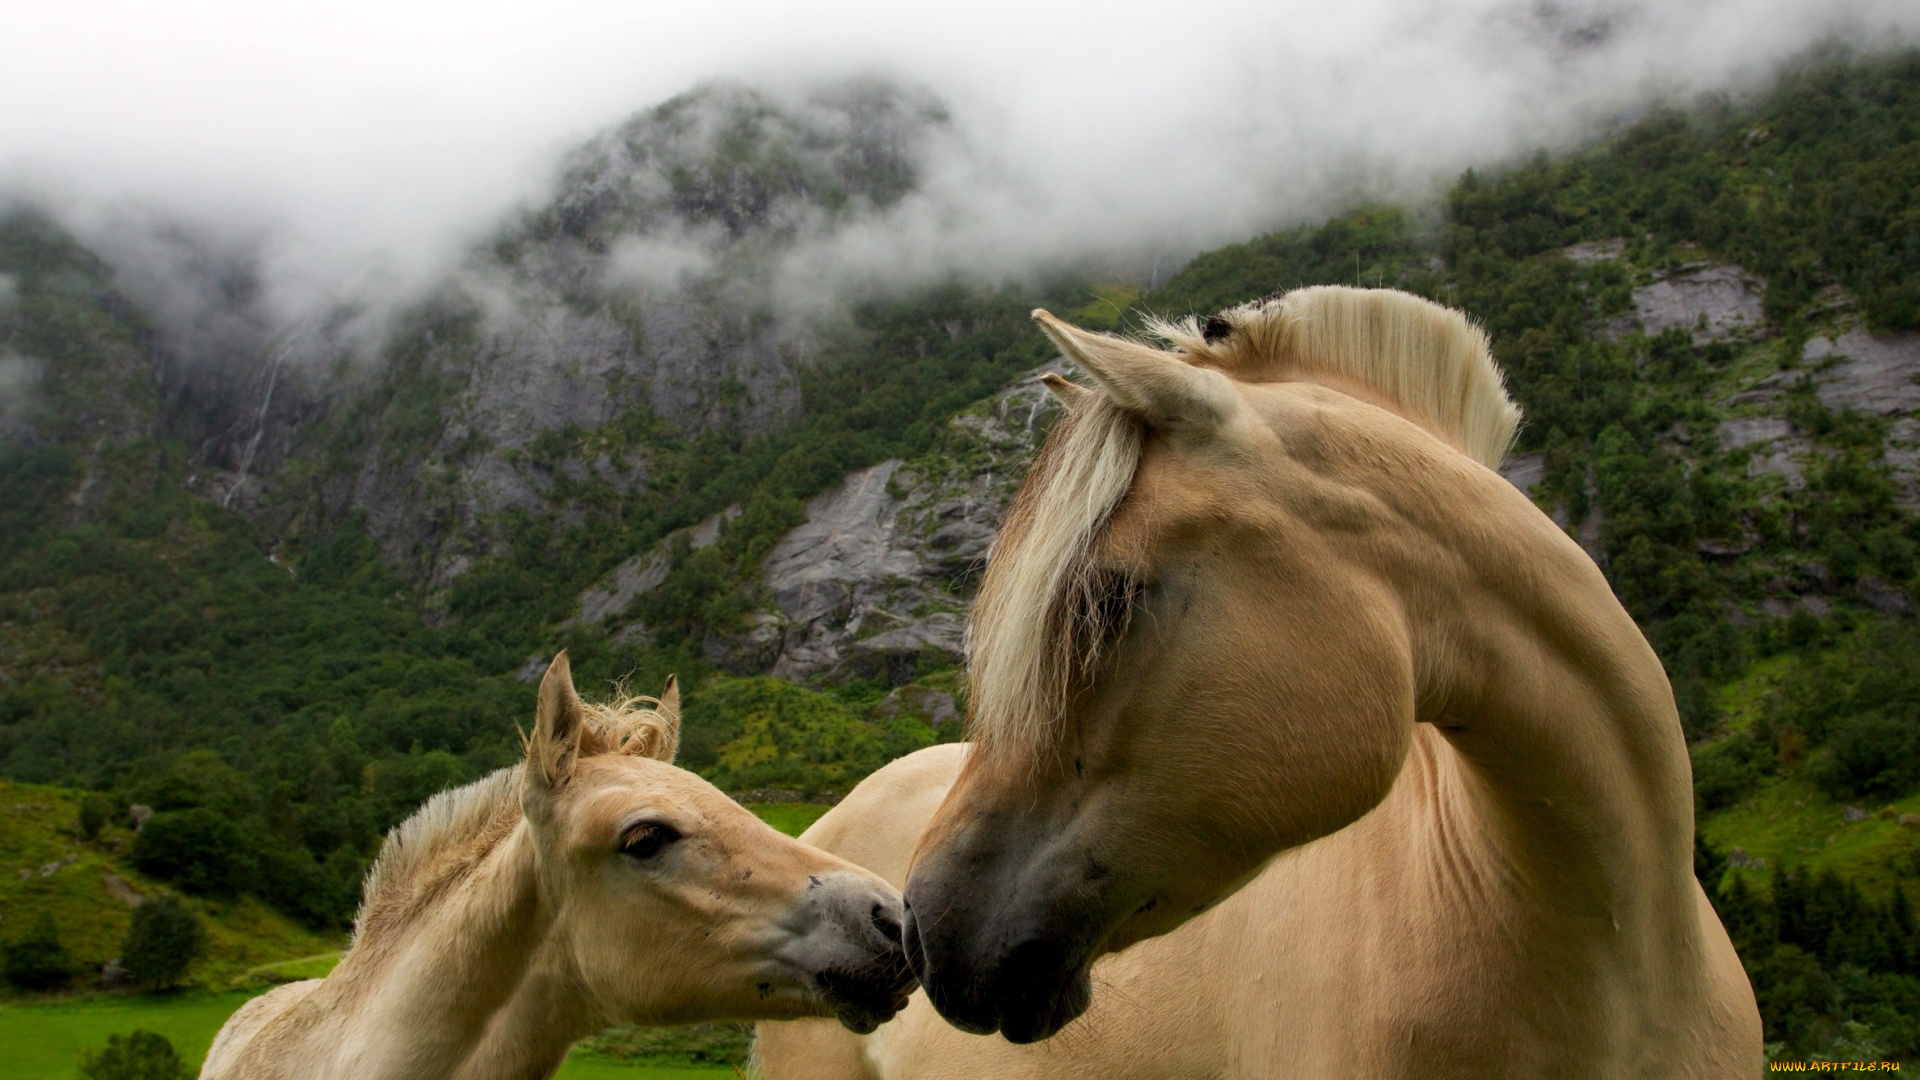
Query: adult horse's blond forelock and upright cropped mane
(1045, 610)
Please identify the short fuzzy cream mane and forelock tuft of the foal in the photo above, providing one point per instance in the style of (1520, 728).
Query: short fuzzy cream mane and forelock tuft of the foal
(454, 829)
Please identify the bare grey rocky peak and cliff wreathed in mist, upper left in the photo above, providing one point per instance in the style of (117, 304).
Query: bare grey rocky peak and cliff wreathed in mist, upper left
(648, 285)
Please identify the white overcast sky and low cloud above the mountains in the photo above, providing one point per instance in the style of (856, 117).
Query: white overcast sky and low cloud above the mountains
(393, 134)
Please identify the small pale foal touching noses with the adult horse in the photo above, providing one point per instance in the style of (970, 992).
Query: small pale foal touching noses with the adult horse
(592, 885)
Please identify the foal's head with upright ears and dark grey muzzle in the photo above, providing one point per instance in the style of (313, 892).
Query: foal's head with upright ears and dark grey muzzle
(673, 902)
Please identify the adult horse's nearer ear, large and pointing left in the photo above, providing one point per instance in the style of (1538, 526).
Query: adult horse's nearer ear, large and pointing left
(1157, 385)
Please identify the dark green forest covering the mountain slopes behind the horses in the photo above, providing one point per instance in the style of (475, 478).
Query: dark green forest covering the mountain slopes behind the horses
(281, 716)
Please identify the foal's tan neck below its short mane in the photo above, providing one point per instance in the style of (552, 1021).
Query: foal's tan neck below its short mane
(427, 993)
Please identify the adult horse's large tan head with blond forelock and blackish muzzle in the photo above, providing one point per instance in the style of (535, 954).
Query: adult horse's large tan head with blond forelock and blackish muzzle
(1184, 660)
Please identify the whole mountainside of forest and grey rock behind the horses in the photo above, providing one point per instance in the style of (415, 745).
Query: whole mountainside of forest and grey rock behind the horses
(633, 426)
